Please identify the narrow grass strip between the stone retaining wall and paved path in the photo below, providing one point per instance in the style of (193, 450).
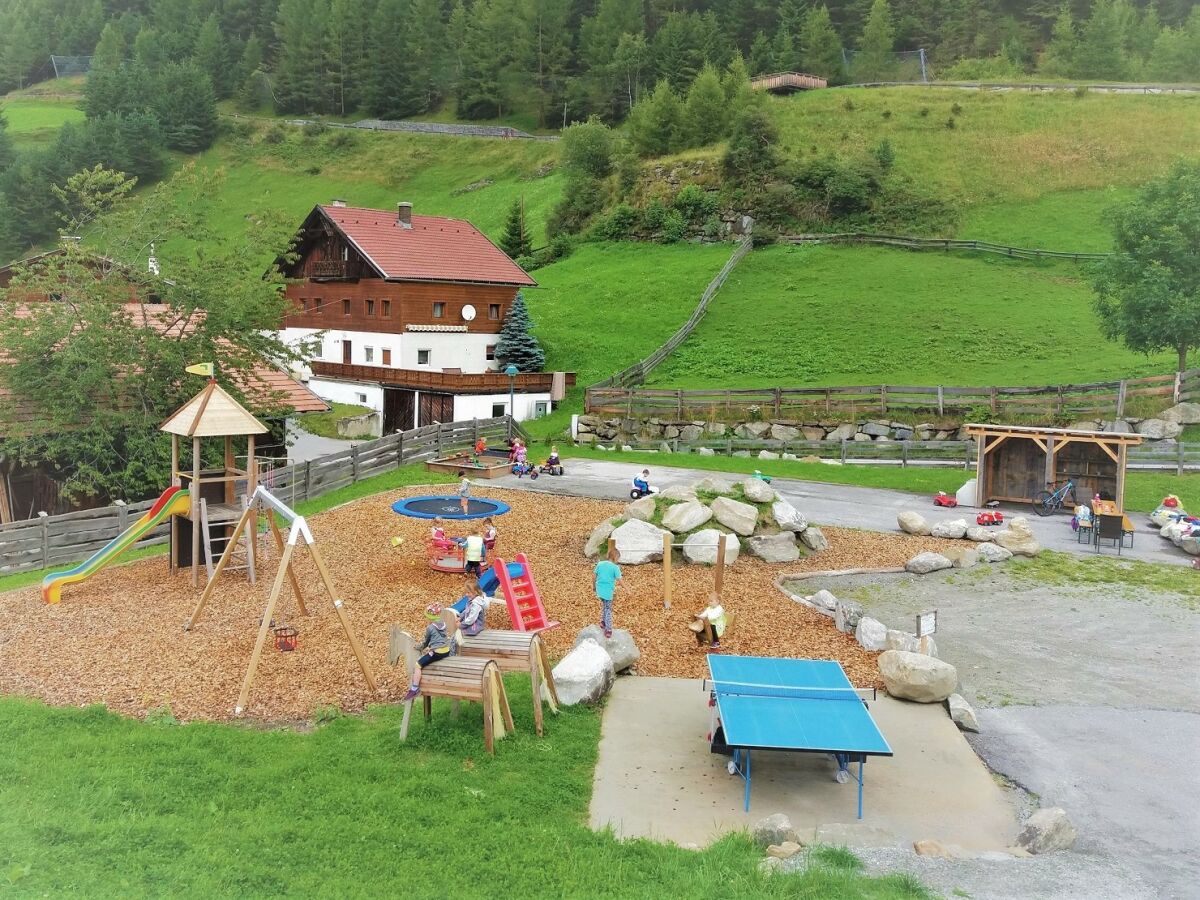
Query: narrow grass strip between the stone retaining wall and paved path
(1143, 490)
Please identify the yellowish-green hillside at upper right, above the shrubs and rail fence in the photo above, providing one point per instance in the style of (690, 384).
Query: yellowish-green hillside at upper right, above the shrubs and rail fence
(1006, 148)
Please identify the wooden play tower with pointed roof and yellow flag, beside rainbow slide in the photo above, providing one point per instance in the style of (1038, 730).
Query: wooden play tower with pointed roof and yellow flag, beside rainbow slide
(219, 495)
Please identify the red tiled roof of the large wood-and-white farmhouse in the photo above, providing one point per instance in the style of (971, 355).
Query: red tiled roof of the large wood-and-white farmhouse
(435, 249)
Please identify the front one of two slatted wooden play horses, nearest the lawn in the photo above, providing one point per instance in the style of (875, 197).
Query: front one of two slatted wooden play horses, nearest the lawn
(458, 679)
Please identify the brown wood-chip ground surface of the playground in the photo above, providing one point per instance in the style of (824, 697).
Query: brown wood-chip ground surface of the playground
(118, 639)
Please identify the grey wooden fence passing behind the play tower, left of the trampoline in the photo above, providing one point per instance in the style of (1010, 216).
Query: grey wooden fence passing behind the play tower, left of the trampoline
(61, 541)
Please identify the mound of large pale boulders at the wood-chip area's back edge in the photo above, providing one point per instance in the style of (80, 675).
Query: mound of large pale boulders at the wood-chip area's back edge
(749, 513)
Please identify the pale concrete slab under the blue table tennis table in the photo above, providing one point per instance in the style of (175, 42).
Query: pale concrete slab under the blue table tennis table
(656, 777)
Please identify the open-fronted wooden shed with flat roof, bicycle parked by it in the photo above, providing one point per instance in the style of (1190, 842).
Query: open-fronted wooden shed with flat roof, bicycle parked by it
(1017, 461)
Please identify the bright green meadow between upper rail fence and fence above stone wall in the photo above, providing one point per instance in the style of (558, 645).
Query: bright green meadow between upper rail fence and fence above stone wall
(819, 315)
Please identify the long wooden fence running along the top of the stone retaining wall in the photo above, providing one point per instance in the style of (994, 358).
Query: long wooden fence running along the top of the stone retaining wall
(1106, 399)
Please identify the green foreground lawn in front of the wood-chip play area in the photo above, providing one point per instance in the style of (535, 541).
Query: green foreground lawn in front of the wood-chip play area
(93, 805)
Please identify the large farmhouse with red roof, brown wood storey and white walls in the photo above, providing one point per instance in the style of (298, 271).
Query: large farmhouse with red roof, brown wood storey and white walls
(411, 310)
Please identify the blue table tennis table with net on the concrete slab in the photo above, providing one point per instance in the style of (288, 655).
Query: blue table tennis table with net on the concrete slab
(793, 705)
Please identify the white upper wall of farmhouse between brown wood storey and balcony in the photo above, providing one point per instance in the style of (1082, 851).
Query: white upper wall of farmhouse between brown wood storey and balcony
(461, 351)
